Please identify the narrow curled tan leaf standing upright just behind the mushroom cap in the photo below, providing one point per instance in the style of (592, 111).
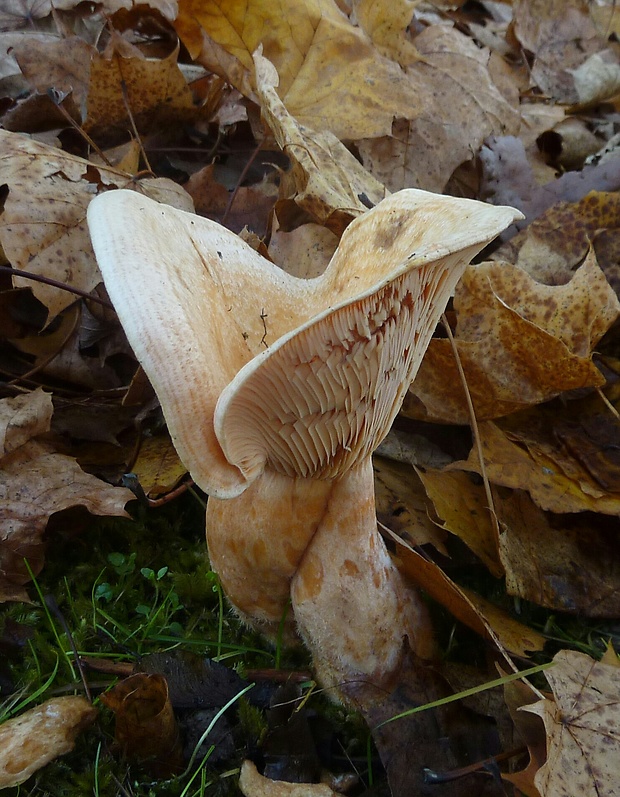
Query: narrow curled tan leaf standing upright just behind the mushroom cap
(327, 181)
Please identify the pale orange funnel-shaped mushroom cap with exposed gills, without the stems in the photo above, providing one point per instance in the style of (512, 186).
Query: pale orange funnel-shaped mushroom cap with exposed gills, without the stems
(315, 369)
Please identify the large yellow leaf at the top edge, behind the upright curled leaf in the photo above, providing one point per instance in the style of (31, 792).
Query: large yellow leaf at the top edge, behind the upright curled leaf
(332, 78)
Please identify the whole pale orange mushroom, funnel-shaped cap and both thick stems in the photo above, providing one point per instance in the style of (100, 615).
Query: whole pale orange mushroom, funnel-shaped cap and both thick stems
(277, 390)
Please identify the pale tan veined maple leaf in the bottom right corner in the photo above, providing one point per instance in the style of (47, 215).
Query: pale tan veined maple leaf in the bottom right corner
(583, 728)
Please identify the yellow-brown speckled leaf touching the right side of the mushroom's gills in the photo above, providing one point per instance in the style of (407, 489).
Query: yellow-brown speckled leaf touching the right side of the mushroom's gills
(520, 343)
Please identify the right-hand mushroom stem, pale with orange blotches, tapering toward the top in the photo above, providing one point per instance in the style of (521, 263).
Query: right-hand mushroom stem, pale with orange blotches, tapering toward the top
(351, 605)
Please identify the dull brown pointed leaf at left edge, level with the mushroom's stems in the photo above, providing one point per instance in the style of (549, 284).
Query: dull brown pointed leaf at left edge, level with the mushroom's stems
(35, 482)
